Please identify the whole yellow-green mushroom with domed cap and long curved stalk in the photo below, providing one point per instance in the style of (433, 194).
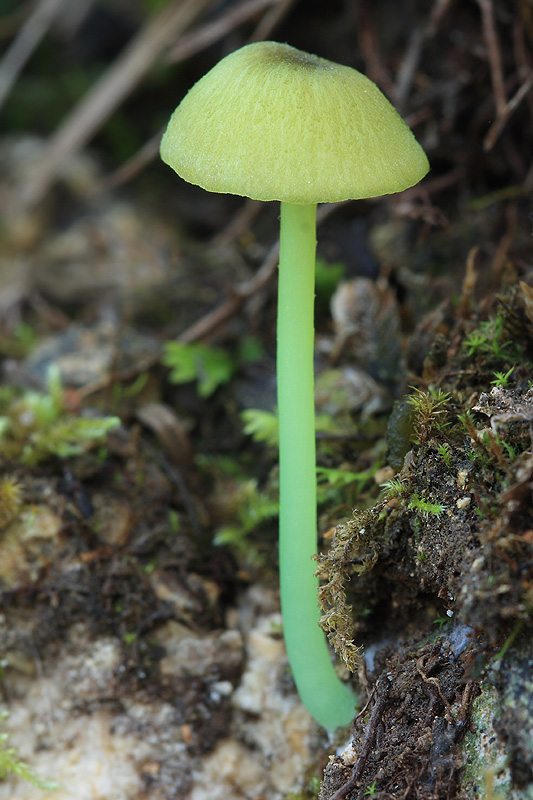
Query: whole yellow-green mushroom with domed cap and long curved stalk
(271, 122)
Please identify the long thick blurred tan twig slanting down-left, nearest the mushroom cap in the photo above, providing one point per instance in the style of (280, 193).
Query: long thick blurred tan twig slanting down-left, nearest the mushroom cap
(108, 92)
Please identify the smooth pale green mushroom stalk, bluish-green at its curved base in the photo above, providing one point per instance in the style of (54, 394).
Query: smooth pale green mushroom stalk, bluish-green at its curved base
(328, 700)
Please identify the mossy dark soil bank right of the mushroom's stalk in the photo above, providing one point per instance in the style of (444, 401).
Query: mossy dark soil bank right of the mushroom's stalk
(450, 541)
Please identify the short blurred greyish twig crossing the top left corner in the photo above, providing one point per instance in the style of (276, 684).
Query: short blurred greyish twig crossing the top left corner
(25, 43)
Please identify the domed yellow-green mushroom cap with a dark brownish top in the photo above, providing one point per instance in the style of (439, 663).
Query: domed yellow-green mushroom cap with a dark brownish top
(274, 123)
